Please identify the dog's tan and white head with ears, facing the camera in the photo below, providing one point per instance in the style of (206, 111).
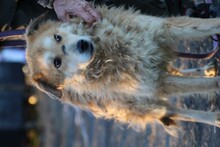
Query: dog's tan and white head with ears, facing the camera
(55, 51)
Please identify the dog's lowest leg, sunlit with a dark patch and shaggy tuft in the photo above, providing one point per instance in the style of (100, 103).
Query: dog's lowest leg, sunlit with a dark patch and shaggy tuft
(168, 115)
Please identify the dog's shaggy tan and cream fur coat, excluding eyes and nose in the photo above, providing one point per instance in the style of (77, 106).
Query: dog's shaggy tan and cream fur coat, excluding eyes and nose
(125, 77)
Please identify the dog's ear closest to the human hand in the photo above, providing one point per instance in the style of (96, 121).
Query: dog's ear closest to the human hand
(34, 24)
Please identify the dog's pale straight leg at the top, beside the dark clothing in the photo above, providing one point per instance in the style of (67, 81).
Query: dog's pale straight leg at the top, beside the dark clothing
(188, 28)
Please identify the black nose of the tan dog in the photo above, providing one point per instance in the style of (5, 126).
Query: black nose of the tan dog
(84, 45)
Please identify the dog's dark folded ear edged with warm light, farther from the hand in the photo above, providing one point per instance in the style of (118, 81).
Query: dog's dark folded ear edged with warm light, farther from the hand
(51, 90)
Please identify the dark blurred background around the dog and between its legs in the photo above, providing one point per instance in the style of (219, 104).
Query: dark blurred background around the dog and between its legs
(28, 118)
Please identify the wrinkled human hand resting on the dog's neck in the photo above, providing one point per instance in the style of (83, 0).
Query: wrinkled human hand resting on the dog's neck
(81, 8)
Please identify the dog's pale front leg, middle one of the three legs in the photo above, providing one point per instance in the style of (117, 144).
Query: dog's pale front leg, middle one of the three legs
(175, 85)
